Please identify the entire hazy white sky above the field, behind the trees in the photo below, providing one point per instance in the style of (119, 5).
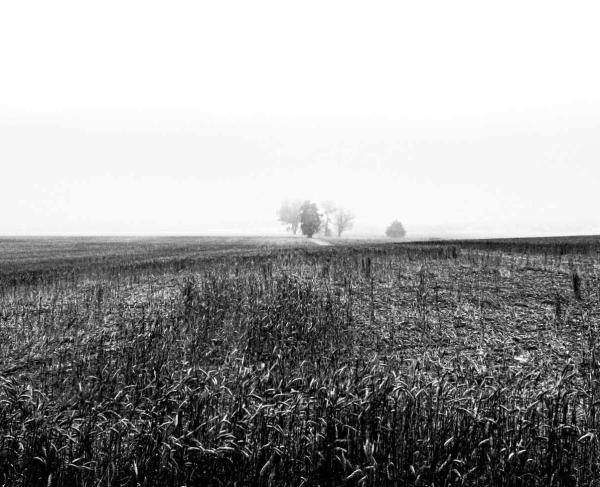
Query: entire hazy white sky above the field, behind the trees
(141, 117)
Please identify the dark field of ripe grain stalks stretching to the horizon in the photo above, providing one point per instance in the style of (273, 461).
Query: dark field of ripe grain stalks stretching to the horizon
(274, 361)
